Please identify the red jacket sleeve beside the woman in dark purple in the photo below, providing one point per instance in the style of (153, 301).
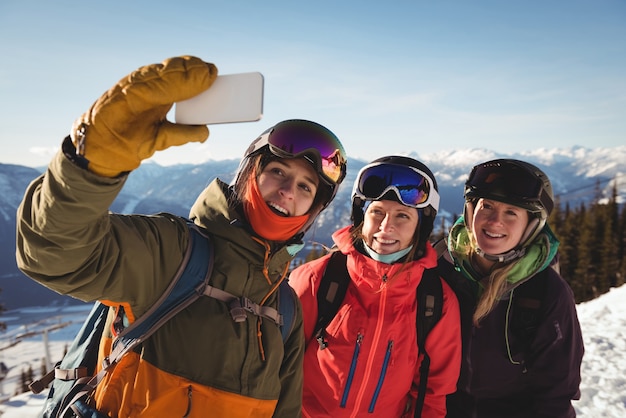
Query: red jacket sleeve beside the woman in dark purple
(443, 345)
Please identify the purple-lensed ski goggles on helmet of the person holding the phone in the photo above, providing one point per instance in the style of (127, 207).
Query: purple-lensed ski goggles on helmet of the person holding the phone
(301, 138)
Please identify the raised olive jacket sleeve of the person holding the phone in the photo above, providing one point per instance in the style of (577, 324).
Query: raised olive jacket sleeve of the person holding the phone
(68, 241)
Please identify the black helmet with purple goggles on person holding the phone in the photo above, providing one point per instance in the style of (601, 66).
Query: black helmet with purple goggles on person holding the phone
(296, 138)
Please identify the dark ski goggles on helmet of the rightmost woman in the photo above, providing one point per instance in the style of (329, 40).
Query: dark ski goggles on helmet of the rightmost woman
(507, 182)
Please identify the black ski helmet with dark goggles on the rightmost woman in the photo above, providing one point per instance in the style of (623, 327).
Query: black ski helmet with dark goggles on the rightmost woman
(514, 182)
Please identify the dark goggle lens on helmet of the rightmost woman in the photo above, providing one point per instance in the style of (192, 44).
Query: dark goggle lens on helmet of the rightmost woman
(506, 180)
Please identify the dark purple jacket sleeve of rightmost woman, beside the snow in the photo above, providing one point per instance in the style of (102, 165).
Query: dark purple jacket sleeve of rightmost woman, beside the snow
(556, 354)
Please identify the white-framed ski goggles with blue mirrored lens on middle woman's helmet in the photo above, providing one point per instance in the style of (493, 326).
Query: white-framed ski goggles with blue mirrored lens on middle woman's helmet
(413, 187)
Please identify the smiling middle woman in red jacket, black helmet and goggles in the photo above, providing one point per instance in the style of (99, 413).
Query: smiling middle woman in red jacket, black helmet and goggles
(370, 365)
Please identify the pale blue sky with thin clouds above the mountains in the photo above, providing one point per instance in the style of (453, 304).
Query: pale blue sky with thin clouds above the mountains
(386, 77)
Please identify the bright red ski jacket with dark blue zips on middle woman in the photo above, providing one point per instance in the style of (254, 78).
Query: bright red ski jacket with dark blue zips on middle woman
(371, 366)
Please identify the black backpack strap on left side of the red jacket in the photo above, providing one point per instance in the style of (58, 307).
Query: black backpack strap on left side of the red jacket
(332, 290)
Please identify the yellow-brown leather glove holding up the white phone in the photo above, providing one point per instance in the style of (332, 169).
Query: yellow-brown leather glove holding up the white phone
(128, 123)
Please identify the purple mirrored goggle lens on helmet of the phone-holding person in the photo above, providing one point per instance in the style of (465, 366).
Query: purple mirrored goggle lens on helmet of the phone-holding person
(304, 137)
